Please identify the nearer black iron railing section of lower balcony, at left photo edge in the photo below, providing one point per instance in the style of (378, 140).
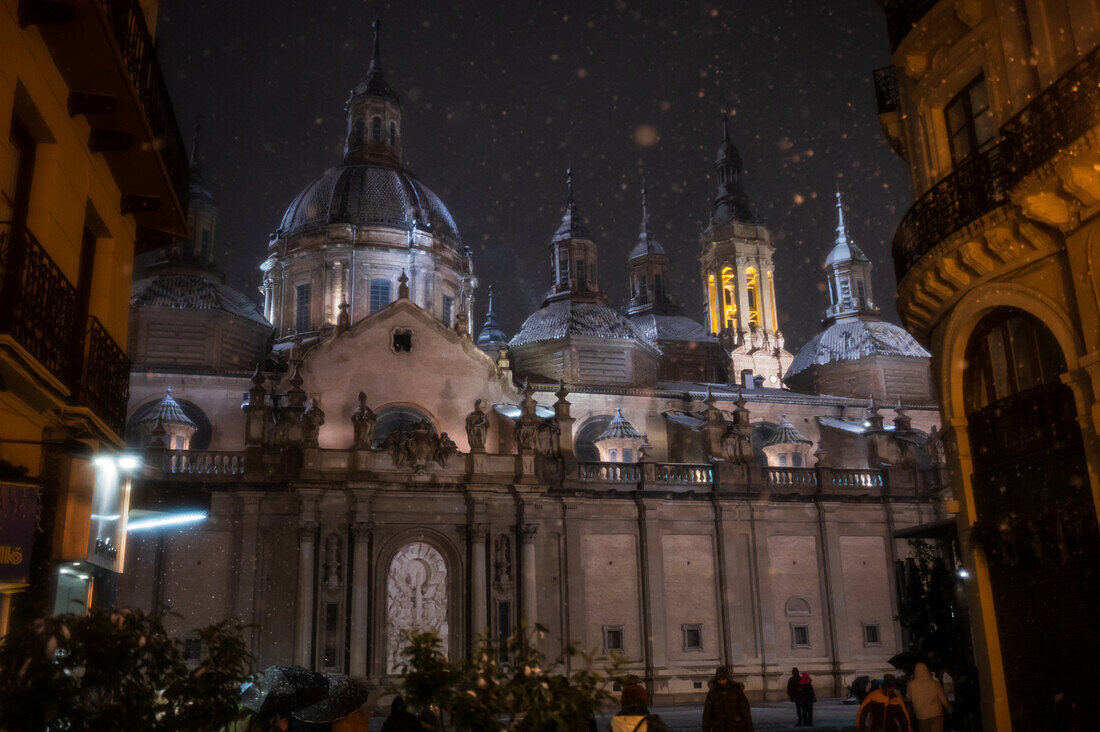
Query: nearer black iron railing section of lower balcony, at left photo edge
(38, 303)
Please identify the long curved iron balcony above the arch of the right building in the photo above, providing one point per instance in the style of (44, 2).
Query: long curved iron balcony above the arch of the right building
(1061, 115)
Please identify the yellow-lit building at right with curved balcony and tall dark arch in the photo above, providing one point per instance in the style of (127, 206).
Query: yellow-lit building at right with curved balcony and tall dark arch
(996, 107)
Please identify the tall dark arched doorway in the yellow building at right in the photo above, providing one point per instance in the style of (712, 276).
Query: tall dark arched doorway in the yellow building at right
(1036, 519)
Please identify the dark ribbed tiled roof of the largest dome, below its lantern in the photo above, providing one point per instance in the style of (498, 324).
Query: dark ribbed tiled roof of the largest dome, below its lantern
(369, 195)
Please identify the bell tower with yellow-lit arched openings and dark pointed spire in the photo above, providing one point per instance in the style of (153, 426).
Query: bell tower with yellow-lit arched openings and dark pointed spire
(739, 277)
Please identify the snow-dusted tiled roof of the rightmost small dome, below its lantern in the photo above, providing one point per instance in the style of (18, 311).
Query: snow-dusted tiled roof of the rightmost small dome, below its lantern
(854, 338)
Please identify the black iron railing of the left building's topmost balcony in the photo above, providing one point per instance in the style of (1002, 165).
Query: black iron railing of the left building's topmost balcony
(139, 53)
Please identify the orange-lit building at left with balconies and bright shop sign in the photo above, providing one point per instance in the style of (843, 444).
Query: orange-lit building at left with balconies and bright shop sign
(94, 172)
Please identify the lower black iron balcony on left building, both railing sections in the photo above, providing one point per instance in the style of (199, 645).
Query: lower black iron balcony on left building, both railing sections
(39, 311)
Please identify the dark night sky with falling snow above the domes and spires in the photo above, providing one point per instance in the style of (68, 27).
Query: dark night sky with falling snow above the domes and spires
(500, 99)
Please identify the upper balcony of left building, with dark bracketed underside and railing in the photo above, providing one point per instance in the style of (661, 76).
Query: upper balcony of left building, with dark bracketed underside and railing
(108, 59)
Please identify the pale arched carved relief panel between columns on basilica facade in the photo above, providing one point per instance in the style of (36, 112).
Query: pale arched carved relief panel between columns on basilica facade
(416, 599)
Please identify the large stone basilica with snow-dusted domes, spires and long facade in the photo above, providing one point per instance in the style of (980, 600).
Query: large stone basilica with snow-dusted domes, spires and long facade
(666, 483)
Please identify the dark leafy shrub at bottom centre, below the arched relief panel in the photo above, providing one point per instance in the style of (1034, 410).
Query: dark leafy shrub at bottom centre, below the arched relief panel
(526, 695)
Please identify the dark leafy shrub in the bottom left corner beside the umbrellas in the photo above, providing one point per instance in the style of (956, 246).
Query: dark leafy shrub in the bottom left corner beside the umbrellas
(119, 672)
